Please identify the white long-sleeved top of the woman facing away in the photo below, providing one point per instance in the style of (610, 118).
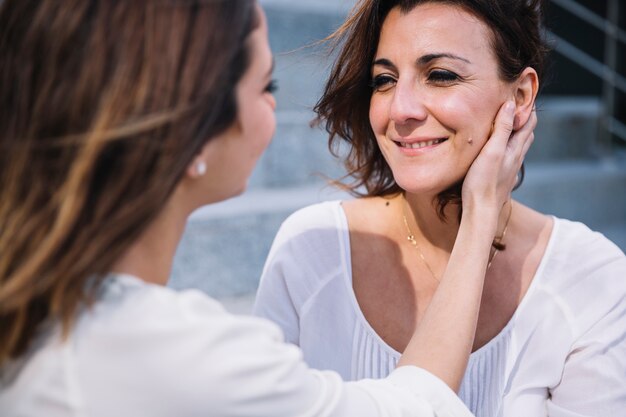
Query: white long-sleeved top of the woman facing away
(148, 351)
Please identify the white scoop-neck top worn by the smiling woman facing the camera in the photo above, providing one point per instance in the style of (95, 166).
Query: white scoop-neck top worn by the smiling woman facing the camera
(563, 353)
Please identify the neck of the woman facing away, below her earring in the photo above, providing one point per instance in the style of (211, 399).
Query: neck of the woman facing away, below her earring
(151, 257)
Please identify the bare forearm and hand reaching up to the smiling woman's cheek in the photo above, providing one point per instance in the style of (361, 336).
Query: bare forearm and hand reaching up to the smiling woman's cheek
(443, 340)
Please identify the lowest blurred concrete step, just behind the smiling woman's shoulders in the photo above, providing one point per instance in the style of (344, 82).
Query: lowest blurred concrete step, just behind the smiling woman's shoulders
(225, 245)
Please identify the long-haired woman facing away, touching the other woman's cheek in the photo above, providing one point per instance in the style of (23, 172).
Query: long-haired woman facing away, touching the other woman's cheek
(109, 139)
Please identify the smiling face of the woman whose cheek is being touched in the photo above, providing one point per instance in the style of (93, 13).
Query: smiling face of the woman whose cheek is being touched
(436, 94)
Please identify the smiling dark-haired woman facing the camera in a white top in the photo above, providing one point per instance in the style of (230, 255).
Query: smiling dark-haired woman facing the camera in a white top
(413, 93)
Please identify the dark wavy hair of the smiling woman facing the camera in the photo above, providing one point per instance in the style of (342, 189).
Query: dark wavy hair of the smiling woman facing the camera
(517, 40)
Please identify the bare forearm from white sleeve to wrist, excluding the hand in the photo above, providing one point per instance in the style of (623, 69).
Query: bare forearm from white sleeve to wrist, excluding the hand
(444, 338)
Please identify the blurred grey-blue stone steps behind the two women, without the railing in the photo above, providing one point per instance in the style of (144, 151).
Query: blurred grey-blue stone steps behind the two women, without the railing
(225, 245)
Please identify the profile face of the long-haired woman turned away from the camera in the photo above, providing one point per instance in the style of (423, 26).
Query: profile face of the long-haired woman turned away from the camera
(233, 154)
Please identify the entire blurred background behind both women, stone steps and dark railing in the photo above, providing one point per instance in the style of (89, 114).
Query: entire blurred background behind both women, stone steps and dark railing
(576, 168)
